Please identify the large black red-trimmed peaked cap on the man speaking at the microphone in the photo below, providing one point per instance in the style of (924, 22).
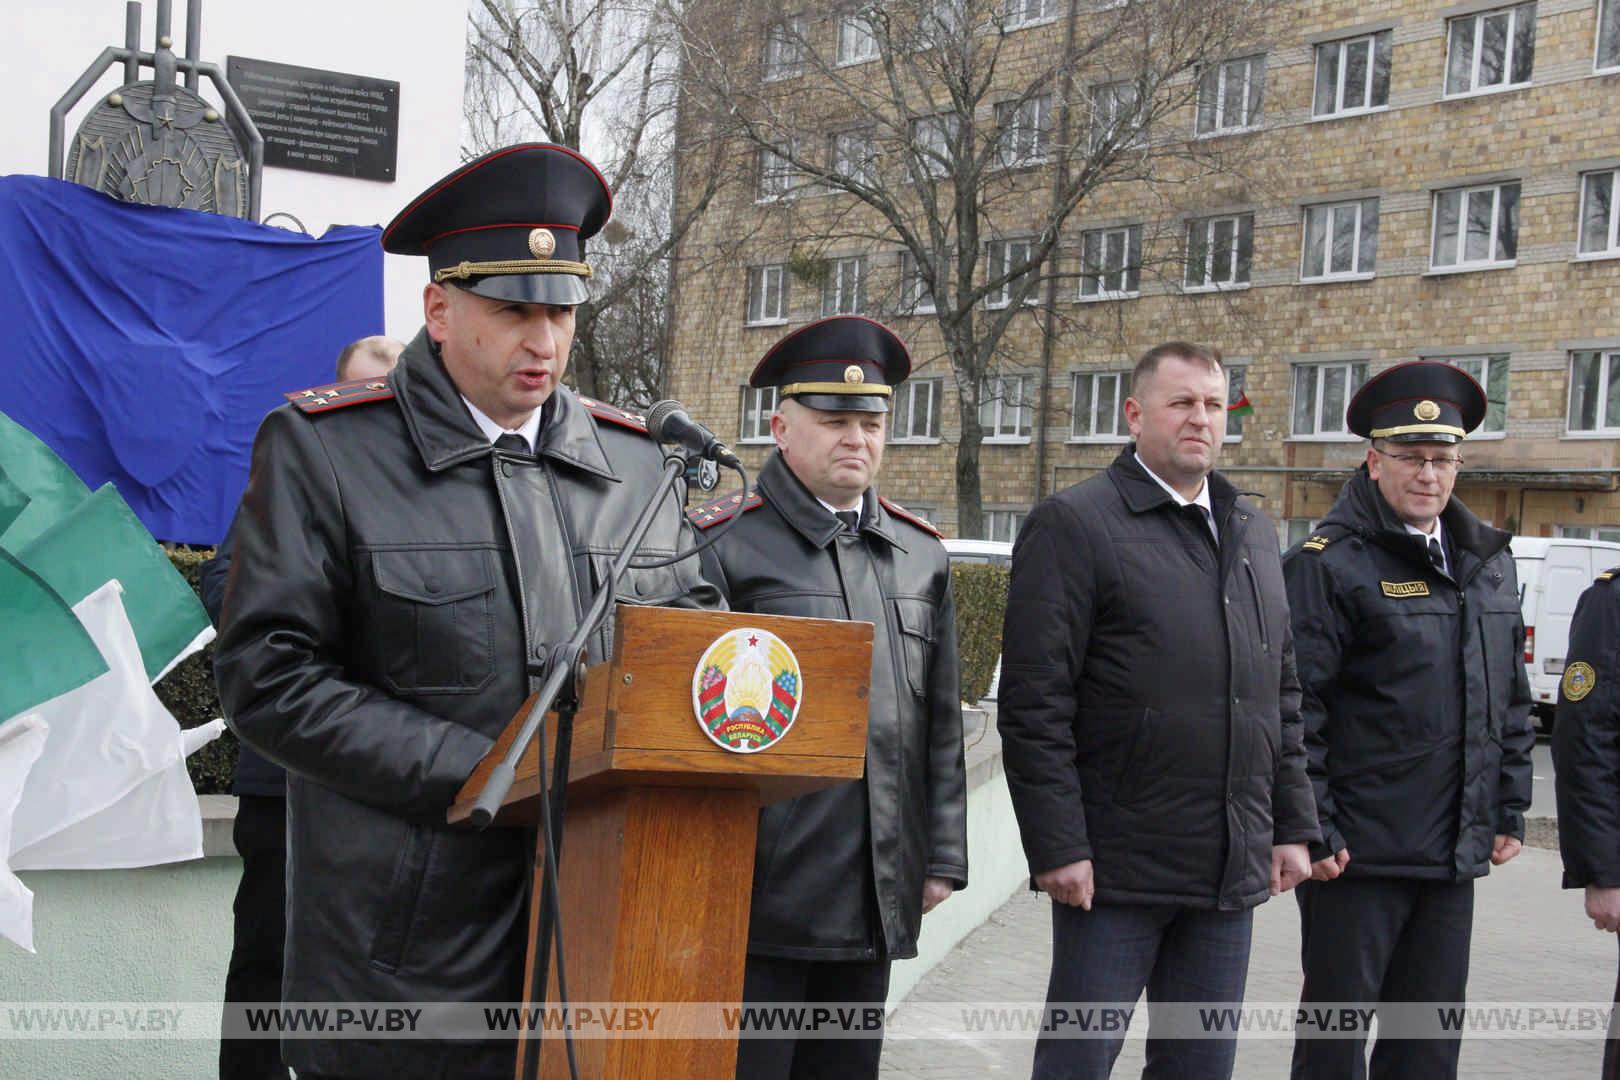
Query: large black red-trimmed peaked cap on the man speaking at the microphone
(509, 226)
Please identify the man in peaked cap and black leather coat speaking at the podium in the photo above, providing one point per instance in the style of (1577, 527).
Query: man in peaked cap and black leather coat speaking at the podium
(406, 548)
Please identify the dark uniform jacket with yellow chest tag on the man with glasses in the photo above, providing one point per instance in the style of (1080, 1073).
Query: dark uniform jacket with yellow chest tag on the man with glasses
(1417, 704)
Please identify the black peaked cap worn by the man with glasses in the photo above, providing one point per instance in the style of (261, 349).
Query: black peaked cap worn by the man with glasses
(1418, 402)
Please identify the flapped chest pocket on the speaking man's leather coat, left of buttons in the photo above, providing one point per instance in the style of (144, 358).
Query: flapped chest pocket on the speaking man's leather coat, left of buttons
(435, 626)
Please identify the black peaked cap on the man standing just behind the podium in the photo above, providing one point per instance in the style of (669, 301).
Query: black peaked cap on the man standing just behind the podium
(840, 365)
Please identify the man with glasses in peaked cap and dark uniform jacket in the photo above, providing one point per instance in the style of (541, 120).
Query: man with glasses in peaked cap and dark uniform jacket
(1417, 713)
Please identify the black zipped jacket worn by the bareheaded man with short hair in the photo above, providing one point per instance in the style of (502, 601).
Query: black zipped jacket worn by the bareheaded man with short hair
(1149, 707)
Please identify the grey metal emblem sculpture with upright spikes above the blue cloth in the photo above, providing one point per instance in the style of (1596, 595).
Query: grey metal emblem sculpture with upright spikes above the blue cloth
(158, 142)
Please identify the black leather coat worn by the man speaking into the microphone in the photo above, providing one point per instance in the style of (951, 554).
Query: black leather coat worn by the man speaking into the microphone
(393, 576)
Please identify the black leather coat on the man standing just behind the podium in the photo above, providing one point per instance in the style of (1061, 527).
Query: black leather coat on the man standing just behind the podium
(838, 875)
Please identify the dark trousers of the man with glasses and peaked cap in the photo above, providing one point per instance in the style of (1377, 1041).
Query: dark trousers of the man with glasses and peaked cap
(1394, 940)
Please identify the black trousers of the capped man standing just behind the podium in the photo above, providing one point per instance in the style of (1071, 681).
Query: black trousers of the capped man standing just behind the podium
(777, 982)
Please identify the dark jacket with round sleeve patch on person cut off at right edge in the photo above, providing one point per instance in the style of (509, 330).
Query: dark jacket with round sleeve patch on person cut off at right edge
(1587, 741)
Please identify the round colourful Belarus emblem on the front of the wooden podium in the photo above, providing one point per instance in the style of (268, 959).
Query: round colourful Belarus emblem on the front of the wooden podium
(748, 691)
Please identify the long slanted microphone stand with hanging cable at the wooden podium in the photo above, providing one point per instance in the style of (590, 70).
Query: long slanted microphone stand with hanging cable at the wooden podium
(565, 673)
